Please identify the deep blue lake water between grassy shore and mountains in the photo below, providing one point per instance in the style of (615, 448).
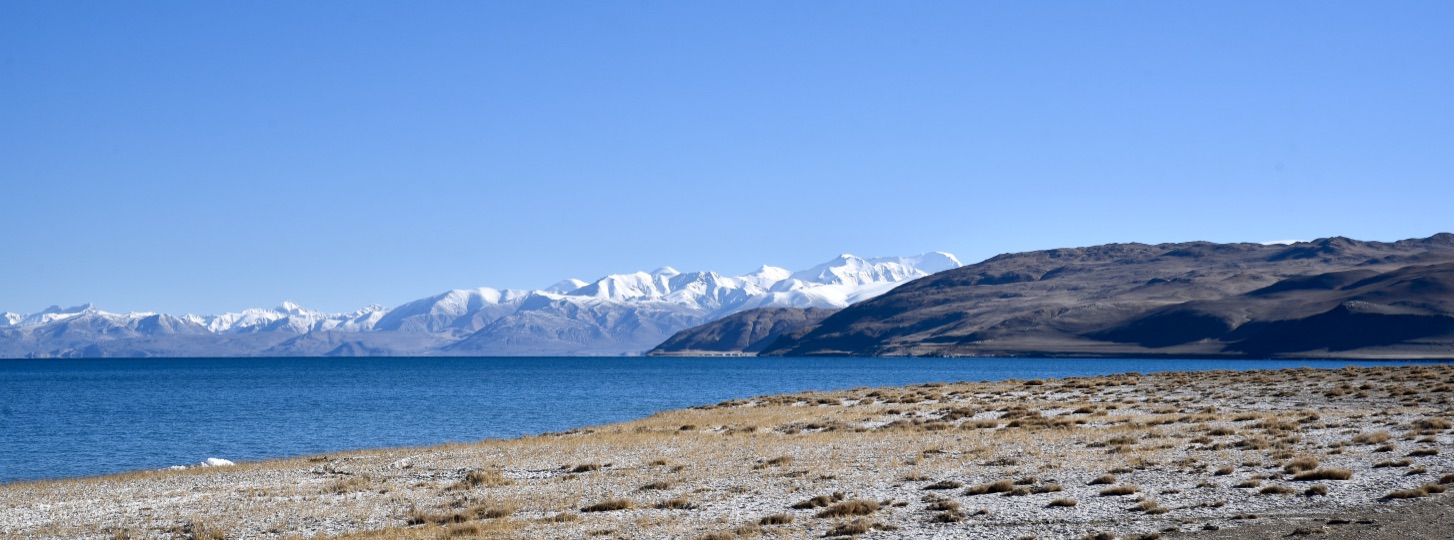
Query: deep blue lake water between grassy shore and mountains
(94, 417)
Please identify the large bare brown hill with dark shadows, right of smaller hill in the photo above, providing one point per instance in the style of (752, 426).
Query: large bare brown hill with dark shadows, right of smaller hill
(1331, 298)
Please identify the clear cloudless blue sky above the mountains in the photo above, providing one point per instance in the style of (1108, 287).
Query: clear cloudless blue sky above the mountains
(213, 156)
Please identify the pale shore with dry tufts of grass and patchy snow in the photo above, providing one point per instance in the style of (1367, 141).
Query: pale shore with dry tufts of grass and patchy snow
(1331, 453)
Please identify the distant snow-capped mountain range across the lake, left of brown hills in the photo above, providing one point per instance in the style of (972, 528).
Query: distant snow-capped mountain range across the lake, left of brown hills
(617, 315)
